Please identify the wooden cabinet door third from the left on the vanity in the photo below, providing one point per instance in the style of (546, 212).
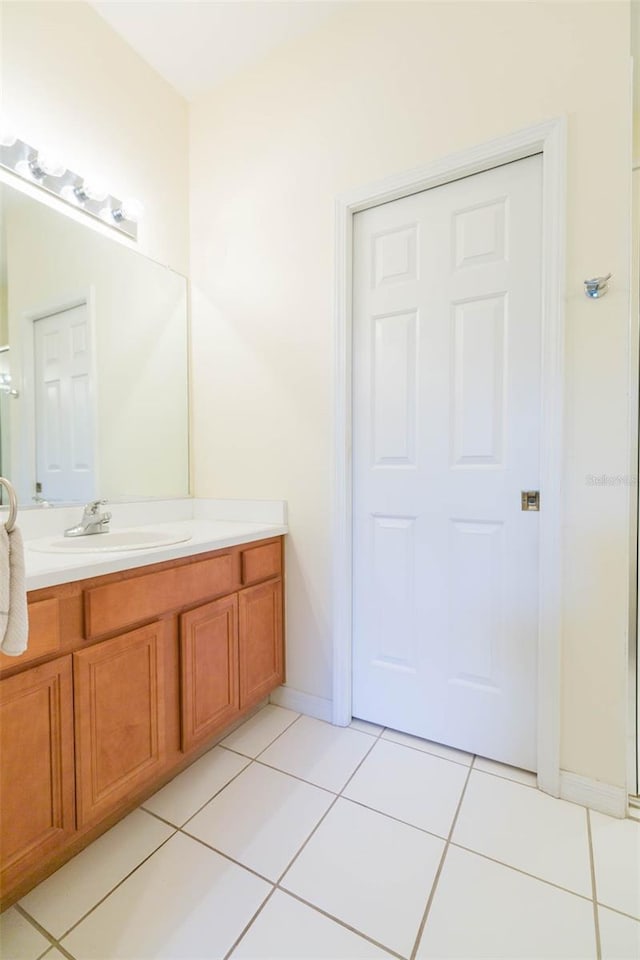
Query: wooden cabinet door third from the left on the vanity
(209, 669)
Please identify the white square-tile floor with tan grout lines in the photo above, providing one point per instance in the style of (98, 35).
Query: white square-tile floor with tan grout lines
(296, 840)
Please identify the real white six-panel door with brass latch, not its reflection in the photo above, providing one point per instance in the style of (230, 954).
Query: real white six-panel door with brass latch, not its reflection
(446, 436)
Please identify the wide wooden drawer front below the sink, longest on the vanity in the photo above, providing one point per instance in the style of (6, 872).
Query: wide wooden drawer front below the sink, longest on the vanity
(127, 602)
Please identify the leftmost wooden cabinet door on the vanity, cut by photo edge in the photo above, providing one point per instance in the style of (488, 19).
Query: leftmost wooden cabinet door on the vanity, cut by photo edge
(36, 766)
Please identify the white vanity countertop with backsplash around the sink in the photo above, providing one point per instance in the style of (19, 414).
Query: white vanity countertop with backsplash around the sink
(212, 524)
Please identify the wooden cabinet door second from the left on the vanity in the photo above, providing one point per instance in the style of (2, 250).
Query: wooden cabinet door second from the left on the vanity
(119, 711)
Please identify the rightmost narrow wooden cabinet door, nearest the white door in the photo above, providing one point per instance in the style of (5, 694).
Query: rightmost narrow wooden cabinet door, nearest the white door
(261, 641)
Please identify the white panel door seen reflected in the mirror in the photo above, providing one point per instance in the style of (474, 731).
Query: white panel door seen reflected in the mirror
(65, 428)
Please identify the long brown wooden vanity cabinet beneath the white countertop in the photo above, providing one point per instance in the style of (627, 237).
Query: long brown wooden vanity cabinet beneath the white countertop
(129, 676)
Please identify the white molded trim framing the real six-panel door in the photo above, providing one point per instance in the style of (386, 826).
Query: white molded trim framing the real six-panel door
(548, 138)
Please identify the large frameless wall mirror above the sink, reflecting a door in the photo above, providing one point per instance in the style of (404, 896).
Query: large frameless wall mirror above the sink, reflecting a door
(93, 362)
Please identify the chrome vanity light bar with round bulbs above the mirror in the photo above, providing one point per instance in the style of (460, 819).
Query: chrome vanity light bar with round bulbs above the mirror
(46, 172)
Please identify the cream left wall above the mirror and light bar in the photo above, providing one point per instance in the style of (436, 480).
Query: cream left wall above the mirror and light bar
(70, 83)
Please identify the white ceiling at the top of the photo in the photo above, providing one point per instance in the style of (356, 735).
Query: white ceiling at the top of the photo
(197, 44)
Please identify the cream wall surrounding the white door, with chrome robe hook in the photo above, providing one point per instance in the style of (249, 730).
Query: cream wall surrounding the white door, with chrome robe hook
(382, 89)
